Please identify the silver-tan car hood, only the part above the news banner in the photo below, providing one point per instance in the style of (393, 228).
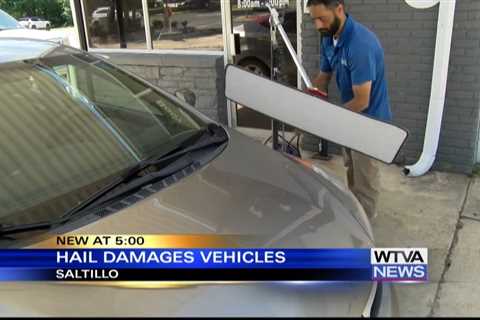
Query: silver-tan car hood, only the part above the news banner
(247, 190)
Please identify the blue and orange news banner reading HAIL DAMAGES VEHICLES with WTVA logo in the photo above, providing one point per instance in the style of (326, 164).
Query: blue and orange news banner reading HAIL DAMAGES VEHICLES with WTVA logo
(203, 258)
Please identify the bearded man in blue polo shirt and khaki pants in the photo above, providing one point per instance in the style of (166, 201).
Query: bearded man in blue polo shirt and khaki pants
(355, 55)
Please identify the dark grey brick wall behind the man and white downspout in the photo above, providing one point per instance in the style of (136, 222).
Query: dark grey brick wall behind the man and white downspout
(408, 37)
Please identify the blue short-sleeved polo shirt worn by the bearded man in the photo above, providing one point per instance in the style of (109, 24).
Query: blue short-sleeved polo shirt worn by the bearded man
(357, 58)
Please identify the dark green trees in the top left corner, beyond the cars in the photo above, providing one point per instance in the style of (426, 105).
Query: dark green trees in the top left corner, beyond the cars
(56, 11)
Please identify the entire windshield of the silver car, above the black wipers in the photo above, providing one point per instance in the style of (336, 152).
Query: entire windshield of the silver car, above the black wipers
(70, 124)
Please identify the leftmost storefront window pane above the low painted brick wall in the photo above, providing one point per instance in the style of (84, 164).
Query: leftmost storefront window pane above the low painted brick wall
(115, 24)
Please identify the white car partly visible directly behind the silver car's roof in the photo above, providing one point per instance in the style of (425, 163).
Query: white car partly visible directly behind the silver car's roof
(11, 28)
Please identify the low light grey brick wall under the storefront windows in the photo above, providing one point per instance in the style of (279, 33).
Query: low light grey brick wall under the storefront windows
(202, 74)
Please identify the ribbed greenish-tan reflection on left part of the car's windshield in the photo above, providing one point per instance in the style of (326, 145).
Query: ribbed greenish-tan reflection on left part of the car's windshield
(51, 148)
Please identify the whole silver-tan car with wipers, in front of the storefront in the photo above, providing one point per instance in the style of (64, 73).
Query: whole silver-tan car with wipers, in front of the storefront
(89, 148)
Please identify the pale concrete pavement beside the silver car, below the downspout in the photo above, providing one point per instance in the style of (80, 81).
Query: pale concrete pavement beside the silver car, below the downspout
(439, 211)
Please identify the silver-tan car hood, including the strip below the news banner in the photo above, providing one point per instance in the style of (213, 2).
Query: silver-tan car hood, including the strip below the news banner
(247, 190)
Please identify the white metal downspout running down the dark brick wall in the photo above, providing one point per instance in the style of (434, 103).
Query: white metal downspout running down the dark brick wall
(439, 83)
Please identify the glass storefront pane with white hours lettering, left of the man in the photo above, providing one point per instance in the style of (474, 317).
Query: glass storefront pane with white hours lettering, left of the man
(251, 24)
